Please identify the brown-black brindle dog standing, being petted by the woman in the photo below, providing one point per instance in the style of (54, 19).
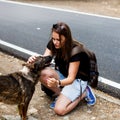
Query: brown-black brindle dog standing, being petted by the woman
(18, 87)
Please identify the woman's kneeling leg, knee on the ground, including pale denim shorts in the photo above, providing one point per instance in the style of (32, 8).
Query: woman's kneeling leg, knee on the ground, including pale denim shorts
(70, 96)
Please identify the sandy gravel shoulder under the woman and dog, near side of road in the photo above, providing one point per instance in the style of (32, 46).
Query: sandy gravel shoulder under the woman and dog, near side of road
(106, 107)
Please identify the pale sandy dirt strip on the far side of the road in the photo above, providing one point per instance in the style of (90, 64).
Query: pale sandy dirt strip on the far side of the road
(101, 7)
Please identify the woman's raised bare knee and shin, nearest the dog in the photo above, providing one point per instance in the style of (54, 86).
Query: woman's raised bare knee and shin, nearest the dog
(46, 73)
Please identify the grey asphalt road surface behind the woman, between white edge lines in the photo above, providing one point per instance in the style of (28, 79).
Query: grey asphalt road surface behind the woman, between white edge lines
(29, 27)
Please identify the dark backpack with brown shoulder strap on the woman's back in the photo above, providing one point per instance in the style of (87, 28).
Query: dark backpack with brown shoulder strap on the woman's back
(93, 70)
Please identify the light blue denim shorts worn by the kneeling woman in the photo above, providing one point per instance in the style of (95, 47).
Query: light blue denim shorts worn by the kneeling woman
(74, 90)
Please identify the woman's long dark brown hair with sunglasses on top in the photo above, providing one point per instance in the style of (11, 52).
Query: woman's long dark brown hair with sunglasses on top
(62, 29)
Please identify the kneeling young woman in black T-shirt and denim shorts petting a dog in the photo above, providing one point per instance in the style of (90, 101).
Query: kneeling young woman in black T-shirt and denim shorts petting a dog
(66, 73)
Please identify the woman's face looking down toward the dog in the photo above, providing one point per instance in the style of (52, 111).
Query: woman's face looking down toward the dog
(56, 40)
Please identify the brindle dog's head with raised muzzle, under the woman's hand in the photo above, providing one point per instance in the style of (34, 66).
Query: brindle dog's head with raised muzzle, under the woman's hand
(40, 63)
